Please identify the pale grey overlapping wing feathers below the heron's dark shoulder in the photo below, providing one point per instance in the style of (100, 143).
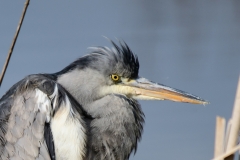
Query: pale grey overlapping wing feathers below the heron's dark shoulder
(22, 127)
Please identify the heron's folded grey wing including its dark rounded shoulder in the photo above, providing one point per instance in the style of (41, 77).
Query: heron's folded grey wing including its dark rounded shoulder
(24, 112)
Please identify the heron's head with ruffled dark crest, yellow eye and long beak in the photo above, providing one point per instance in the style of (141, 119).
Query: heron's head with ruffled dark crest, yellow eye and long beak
(115, 71)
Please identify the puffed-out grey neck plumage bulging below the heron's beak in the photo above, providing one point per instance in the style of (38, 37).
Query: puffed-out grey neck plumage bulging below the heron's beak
(117, 126)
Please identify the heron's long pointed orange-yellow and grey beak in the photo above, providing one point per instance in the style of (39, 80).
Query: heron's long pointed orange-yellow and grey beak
(145, 89)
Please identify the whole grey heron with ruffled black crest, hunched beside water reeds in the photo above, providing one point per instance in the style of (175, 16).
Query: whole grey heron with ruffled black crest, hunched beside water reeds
(86, 111)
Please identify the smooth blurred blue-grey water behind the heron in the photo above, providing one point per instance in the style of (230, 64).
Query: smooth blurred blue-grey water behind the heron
(192, 45)
